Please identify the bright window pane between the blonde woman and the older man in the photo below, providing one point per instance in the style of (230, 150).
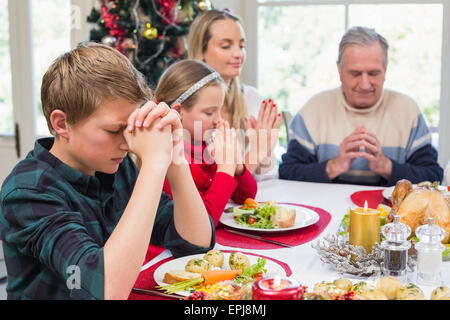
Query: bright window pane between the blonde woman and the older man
(300, 63)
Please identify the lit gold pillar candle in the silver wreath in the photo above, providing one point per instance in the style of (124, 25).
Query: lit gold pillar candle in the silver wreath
(364, 229)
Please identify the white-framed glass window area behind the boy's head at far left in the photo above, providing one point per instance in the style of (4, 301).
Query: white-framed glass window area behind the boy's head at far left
(35, 32)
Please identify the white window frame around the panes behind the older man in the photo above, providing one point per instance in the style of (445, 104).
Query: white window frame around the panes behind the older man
(250, 74)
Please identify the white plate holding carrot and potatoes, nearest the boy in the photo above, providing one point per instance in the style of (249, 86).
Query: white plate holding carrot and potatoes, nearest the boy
(273, 268)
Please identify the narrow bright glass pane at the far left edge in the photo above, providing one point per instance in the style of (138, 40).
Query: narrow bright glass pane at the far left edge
(6, 110)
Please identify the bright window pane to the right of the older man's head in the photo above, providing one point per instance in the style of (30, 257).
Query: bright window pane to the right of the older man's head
(414, 33)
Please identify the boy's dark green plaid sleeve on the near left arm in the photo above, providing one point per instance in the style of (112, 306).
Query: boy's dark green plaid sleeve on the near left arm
(40, 225)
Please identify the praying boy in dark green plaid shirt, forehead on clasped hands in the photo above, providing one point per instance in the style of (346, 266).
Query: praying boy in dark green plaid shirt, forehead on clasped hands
(77, 204)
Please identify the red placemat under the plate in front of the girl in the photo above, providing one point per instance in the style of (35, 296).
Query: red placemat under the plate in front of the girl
(293, 237)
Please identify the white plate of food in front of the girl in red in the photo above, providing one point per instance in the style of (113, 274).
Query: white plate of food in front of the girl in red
(304, 217)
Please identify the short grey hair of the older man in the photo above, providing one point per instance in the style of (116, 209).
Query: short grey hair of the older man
(362, 36)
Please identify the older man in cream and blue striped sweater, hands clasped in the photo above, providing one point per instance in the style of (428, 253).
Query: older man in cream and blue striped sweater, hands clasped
(360, 133)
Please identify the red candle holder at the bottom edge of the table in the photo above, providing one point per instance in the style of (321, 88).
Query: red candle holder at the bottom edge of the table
(277, 288)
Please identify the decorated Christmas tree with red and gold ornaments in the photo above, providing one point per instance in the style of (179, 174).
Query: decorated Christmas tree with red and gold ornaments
(152, 33)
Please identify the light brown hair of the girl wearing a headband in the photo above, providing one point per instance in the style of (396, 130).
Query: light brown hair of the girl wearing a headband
(180, 77)
